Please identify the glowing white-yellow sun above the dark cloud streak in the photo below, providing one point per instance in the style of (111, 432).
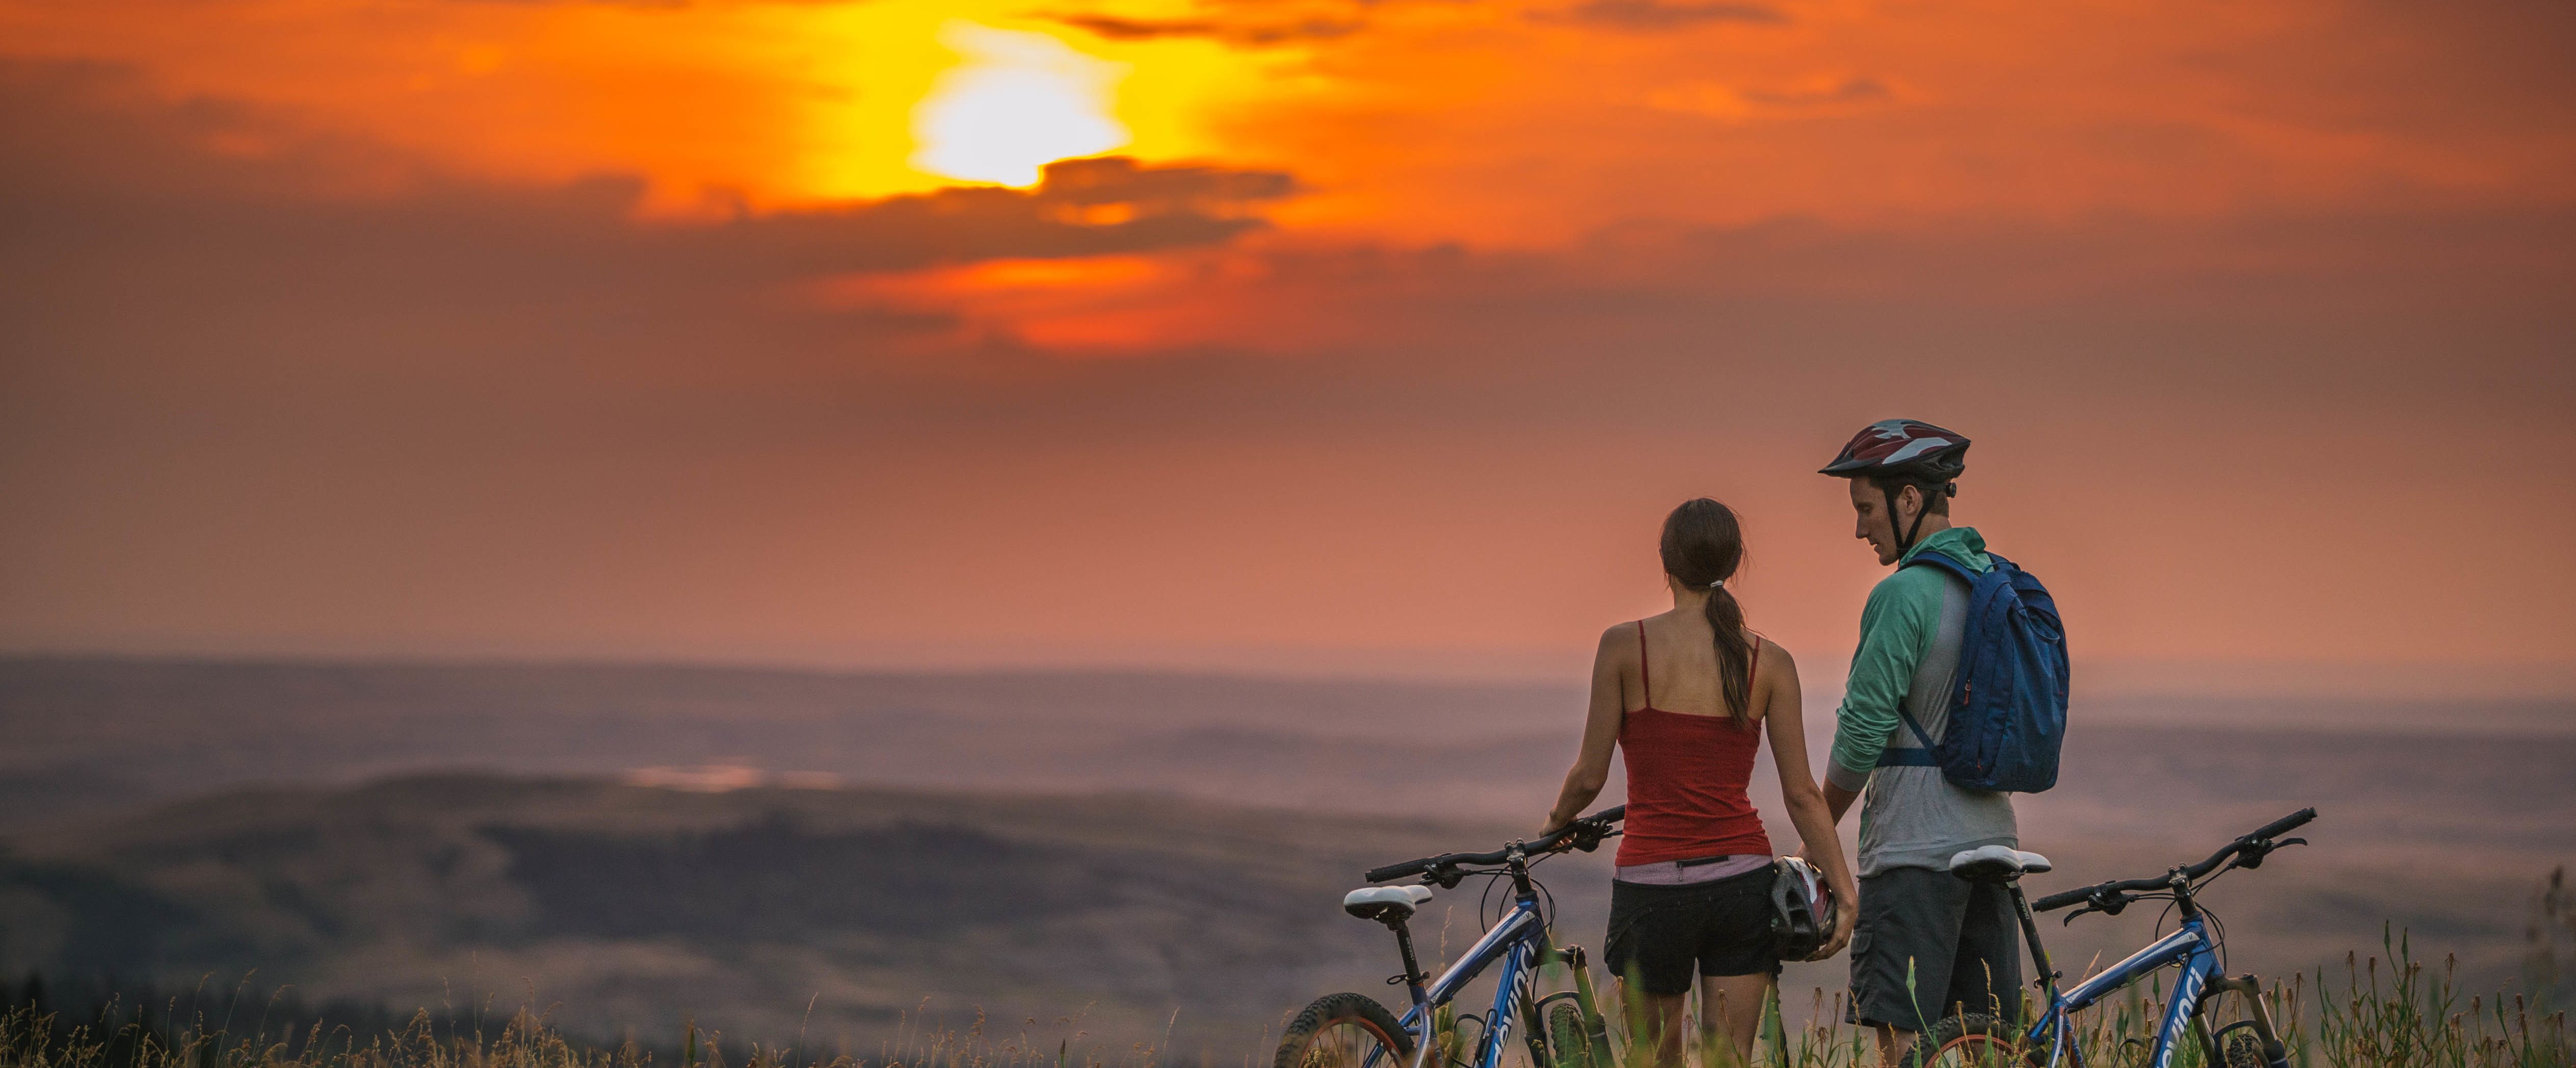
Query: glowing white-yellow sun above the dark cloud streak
(1014, 107)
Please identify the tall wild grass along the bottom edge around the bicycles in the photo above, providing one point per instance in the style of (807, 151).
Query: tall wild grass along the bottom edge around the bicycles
(2384, 1013)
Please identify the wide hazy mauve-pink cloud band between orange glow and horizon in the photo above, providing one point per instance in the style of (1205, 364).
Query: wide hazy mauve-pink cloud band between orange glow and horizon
(267, 391)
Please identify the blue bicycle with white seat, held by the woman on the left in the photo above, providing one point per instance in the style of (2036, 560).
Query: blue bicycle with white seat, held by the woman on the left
(1562, 1031)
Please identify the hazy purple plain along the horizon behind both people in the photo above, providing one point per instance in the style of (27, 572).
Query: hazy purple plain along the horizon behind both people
(94, 734)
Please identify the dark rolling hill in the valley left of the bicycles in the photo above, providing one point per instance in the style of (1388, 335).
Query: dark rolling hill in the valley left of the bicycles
(635, 909)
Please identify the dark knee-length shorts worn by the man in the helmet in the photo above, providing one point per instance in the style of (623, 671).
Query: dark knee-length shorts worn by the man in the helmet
(1962, 943)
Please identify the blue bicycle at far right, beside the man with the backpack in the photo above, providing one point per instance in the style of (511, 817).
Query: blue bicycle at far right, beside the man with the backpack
(2199, 945)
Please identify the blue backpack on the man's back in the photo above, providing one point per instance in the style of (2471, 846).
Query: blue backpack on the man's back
(2008, 711)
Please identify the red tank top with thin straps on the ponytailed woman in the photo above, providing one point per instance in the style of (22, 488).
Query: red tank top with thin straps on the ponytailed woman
(1686, 780)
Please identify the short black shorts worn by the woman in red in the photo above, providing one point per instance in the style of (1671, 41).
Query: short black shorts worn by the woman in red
(1719, 927)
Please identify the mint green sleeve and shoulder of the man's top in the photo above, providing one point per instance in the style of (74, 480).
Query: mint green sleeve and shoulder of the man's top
(1897, 631)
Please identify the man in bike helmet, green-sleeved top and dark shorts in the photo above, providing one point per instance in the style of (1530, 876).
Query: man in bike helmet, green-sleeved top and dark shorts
(1928, 943)
